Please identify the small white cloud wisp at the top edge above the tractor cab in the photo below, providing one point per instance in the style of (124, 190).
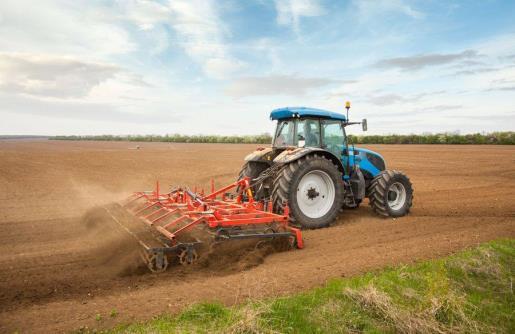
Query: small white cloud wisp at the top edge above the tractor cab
(289, 12)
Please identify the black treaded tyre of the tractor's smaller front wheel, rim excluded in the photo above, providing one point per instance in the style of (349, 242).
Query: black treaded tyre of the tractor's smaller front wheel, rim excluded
(381, 188)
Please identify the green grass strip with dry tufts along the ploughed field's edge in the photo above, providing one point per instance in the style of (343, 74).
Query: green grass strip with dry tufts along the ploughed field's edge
(470, 292)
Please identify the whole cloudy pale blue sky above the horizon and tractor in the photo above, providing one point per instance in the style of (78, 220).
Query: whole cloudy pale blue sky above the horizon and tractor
(220, 67)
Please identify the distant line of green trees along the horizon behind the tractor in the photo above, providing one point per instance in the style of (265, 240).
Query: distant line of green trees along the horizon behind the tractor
(497, 138)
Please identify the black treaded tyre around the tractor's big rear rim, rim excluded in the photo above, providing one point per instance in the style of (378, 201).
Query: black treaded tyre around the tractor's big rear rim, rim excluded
(285, 187)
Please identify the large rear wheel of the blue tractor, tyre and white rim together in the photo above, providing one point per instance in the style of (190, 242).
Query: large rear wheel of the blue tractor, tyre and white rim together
(313, 188)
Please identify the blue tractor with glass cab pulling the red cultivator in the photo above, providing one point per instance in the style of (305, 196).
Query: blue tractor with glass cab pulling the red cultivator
(313, 168)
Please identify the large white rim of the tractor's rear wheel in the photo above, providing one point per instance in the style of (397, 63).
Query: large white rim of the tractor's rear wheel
(315, 194)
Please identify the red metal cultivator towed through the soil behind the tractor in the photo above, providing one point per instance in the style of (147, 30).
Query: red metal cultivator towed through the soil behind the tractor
(181, 220)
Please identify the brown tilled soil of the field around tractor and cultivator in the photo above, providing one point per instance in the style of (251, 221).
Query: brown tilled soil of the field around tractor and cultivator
(63, 260)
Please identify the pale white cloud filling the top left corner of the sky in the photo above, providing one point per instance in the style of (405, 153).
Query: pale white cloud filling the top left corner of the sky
(60, 28)
